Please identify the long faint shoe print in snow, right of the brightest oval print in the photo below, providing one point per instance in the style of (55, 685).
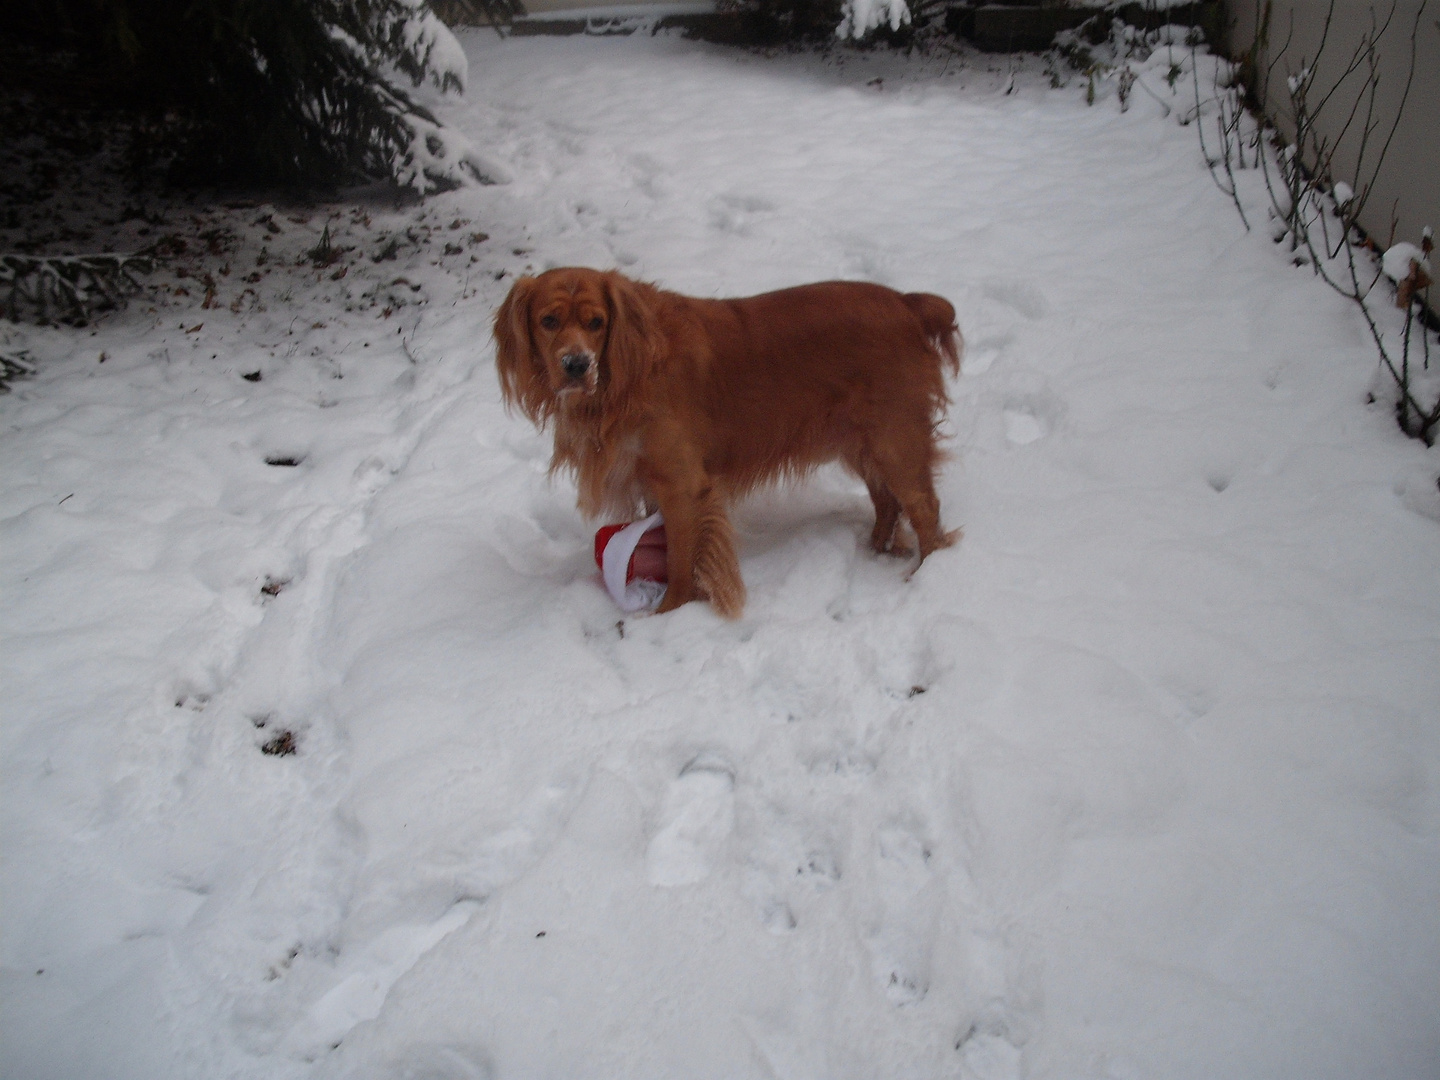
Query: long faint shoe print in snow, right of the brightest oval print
(902, 944)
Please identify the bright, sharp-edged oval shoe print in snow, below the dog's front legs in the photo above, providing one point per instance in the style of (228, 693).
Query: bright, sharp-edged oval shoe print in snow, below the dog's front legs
(696, 820)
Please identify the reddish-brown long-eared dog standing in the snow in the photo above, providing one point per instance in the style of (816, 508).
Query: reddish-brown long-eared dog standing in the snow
(667, 402)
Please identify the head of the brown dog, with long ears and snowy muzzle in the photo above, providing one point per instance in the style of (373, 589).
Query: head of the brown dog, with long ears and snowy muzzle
(568, 333)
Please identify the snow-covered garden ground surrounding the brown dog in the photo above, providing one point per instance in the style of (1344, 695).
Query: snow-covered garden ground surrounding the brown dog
(326, 755)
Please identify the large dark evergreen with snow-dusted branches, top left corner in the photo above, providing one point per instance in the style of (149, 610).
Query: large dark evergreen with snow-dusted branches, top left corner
(299, 93)
